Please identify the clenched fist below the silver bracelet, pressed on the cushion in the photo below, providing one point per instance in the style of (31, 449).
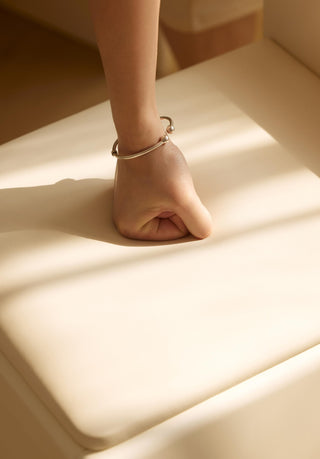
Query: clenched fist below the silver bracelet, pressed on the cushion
(154, 197)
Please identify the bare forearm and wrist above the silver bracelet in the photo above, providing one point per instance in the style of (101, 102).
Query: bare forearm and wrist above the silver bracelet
(127, 35)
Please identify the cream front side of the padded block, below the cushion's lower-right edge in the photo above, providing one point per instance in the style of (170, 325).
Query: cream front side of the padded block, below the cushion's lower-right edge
(259, 415)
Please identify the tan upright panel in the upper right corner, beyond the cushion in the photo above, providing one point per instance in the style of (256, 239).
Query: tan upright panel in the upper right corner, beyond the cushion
(295, 25)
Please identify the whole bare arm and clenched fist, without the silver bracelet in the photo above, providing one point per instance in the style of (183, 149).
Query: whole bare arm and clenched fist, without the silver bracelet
(154, 195)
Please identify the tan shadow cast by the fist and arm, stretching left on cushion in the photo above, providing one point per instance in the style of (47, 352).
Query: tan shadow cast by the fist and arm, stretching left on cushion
(79, 207)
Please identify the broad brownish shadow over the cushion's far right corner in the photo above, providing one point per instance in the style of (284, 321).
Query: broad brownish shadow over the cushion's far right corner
(276, 92)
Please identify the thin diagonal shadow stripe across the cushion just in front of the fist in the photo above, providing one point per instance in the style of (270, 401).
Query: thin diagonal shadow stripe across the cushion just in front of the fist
(213, 241)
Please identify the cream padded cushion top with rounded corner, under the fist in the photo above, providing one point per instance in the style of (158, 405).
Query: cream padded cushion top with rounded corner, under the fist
(116, 335)
